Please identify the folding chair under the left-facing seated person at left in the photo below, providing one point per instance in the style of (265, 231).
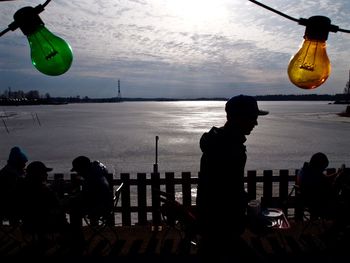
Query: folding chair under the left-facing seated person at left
(105, 222)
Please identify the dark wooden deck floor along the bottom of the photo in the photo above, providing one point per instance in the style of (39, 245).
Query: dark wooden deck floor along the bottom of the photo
(136, 243)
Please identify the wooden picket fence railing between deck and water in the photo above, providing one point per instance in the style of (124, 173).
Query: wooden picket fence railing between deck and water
(139, 204)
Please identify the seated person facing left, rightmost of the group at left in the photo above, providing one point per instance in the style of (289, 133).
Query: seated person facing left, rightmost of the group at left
(96, 197)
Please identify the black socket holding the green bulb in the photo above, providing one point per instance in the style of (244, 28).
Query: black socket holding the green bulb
(28, 20)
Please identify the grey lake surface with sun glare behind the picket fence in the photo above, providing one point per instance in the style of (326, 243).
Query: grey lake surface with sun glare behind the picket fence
(122, 135)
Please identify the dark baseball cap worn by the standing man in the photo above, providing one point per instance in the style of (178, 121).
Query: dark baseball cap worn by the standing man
(243, 105)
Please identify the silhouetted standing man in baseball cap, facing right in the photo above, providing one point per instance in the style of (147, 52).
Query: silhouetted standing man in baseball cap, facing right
(221, 198)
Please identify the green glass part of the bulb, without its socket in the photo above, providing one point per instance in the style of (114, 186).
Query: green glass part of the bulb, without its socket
(50, 54)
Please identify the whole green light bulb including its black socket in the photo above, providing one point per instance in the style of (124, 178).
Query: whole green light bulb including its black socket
(50, 54)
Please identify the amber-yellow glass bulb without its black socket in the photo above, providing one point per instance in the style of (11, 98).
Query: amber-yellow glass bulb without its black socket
(310, 66)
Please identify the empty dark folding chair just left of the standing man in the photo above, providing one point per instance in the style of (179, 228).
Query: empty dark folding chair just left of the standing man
(179, 218)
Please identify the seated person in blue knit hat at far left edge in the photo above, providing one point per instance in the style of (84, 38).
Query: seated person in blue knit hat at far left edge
(11, 178)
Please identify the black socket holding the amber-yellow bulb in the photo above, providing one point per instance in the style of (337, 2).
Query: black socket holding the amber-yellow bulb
(317, 28)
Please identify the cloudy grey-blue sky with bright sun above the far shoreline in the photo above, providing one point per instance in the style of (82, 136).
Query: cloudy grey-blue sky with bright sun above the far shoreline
(174, 48)
